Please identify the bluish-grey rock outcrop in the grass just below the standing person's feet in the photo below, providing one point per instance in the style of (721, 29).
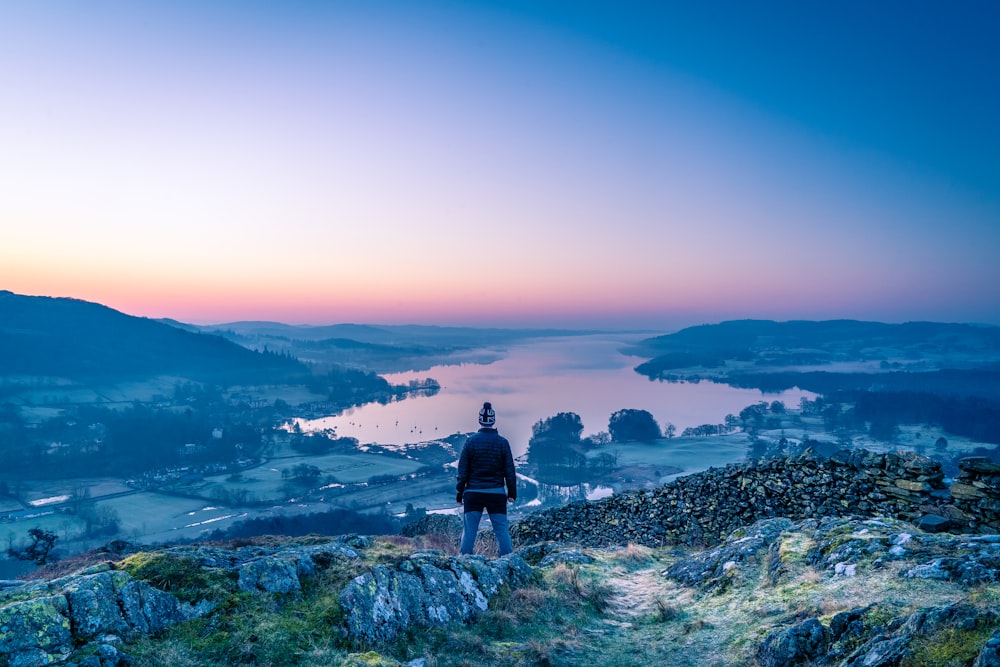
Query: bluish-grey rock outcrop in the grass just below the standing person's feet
(426, 589)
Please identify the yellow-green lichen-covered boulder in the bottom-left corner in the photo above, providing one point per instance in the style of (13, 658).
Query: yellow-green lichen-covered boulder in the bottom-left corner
(36, 632)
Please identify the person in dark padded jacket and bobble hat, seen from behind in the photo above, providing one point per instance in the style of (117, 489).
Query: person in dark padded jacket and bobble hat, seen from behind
(485, 468)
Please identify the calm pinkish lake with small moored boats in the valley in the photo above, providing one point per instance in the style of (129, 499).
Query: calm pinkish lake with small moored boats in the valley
(536, 379)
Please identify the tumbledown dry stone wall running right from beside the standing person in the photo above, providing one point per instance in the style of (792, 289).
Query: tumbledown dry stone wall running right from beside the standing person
(702, 508)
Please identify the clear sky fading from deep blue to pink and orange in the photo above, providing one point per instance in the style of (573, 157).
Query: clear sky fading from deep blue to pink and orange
(573, 164)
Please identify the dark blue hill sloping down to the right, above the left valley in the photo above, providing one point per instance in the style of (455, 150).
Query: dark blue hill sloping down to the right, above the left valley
(72, 338)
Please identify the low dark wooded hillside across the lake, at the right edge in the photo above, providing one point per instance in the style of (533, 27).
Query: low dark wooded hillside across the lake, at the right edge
(825, 357)
